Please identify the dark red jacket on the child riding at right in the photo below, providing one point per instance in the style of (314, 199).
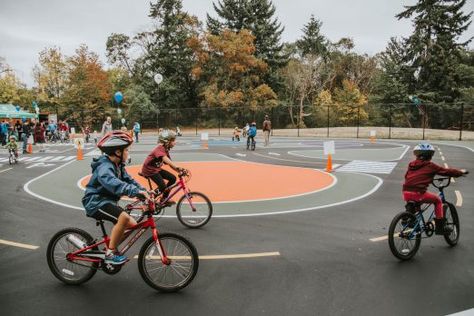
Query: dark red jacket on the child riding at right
(420, 174)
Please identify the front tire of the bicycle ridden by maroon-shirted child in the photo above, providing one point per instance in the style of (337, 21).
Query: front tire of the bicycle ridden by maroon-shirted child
(186, 214)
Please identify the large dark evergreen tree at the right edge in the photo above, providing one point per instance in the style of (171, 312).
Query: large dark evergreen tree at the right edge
(433, 50)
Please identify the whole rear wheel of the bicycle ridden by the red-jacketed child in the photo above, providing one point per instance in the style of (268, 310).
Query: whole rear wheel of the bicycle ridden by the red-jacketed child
(403, 241)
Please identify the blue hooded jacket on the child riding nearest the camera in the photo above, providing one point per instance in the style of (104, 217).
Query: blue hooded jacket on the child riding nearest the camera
(107, 185)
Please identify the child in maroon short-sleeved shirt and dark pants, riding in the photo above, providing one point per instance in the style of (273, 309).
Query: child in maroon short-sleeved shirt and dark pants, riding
(152, 167)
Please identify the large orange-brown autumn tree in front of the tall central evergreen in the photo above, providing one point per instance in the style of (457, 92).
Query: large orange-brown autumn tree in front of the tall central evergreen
(228, 72)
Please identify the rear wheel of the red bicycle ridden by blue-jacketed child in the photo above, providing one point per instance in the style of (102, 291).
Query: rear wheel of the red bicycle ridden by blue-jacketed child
(67, 271)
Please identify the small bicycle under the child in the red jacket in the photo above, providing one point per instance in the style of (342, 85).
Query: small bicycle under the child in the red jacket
(409, 227)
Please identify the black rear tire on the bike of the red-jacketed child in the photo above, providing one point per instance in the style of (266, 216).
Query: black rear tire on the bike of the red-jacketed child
(394, 229)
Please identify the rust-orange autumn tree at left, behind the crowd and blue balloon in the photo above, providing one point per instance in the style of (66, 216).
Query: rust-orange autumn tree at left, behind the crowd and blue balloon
(89, 92)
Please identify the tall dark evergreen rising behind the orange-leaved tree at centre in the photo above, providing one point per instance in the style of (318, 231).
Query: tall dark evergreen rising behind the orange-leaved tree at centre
(256, 16)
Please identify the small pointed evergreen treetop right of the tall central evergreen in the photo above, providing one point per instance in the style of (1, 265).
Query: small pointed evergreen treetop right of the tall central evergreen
(313, 42)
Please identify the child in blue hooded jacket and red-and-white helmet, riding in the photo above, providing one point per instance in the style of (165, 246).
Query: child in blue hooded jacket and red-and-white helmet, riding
(109, 182)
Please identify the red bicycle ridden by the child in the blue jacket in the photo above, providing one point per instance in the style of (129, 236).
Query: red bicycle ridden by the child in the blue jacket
(167, 262)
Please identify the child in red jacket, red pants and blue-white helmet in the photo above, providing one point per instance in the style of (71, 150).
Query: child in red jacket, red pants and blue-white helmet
(418, 177)
